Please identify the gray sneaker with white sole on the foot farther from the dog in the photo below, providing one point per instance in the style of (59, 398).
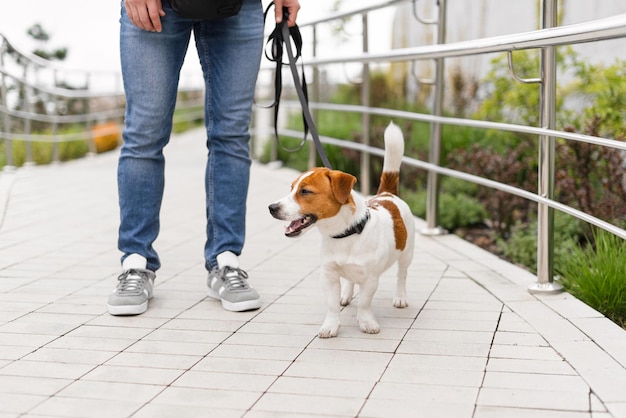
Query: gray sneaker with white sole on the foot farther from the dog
(134, 289)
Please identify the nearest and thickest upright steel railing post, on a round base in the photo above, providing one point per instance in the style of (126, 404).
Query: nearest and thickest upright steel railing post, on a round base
(545, 214)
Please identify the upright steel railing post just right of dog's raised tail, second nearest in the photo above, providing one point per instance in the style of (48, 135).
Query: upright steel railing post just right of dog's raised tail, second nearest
(432, 191)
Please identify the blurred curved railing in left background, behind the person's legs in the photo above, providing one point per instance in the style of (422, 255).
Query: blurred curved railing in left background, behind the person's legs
(35, 91)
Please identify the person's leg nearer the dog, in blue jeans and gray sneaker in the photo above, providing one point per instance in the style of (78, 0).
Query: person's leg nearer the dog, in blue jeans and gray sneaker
(230, 54)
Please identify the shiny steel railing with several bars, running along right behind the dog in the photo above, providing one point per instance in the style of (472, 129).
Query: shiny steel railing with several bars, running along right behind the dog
(545, 40)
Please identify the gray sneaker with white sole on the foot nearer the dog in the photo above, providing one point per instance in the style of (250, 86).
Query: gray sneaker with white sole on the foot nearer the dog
(230, 285)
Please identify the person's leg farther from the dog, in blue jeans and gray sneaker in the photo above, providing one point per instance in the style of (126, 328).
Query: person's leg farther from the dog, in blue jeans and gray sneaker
(151, 65)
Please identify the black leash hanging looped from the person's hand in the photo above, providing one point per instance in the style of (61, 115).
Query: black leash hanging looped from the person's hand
(282, 34)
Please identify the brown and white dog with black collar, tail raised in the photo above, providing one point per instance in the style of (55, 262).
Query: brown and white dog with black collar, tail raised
(361, 239)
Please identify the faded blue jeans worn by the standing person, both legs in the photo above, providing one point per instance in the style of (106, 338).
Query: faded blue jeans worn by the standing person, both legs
(230, 53)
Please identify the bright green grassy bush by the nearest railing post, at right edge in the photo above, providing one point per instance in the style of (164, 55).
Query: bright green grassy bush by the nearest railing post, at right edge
(595, 275)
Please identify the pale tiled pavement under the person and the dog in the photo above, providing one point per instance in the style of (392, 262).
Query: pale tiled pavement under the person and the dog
(473, 342)
